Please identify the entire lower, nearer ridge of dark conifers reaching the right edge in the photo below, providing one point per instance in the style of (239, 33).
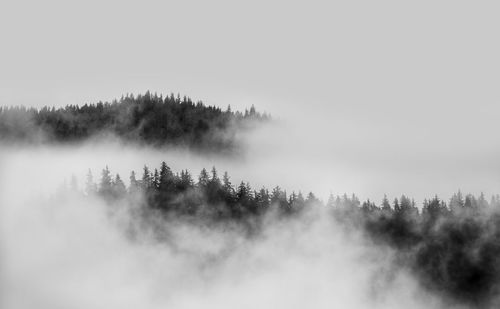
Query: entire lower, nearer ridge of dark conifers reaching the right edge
(453, 247)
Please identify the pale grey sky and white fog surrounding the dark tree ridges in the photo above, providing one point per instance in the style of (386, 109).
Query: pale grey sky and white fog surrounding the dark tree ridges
(367, 97)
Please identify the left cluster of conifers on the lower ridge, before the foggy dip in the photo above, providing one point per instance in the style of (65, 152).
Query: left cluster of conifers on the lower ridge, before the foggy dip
(208, 195)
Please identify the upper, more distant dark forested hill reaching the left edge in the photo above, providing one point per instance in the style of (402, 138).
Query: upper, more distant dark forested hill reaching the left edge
(146, 119)
